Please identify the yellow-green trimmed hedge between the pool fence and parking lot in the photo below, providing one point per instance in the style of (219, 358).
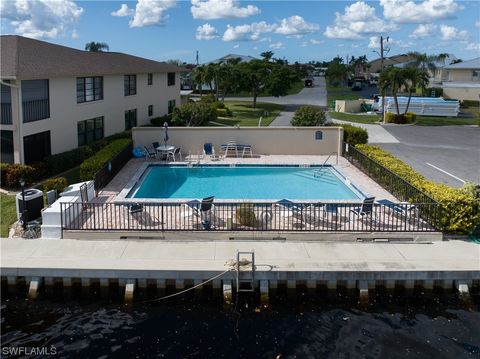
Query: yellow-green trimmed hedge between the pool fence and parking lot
(459, 210)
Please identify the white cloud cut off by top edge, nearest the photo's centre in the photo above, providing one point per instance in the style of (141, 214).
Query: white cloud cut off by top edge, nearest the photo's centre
(221, 9)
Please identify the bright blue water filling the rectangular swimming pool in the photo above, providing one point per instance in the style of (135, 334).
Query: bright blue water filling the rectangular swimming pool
(256, 183)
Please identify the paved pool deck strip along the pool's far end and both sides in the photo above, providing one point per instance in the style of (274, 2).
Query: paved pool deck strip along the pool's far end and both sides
(361, 180)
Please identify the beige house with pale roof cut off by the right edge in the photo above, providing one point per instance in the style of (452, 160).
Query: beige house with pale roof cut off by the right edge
(463, 80)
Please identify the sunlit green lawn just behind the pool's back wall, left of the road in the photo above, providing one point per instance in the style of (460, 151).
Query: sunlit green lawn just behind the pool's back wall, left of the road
(245, 115)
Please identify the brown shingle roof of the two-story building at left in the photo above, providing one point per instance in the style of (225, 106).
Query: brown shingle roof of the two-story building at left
(25, 58)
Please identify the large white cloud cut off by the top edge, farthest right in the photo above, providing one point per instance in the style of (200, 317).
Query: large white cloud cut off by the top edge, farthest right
(410, 12)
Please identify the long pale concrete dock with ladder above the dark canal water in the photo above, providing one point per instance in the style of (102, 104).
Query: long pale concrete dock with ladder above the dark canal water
(132, 264)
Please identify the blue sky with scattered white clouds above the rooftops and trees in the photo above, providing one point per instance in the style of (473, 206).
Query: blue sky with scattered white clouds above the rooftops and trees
(295, 30)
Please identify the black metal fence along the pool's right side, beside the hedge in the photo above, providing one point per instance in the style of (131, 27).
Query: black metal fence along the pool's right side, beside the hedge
(393, 183)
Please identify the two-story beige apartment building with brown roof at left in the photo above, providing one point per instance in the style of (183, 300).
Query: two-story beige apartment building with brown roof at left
(55, 98)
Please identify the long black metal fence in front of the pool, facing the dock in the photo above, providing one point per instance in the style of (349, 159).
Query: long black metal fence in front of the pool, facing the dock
(273, 216)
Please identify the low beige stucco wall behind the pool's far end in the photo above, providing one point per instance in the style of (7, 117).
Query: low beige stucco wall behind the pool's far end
(266, 141)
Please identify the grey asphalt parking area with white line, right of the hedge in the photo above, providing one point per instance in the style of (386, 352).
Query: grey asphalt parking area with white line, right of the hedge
(444, 154)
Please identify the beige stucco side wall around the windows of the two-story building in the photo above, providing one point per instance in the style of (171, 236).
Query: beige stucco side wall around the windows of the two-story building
(65, 113)
